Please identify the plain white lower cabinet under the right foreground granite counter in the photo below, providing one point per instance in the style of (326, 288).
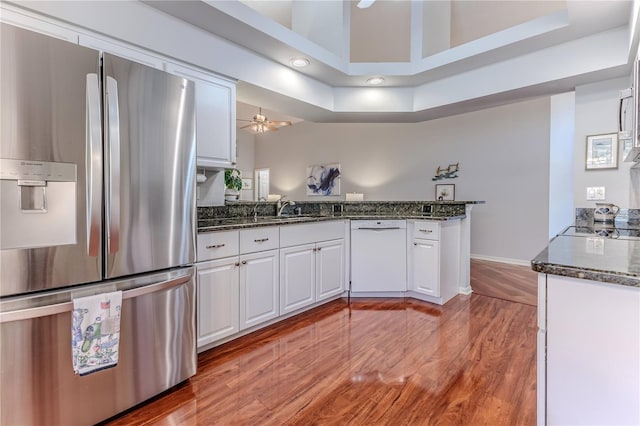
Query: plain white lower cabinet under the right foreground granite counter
(591, 353)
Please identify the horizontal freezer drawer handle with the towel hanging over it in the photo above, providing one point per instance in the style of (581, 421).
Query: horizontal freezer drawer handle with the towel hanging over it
(58, 308)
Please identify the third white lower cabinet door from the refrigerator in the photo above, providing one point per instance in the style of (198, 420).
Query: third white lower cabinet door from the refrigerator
(297, 277)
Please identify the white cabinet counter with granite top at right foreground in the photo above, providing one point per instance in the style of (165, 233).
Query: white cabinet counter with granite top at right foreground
(589, 325)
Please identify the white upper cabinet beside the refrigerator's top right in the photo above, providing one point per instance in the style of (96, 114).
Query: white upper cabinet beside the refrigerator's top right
(215, 117)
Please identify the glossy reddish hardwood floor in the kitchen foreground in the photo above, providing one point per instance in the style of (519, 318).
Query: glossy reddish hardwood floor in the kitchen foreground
(374, 362)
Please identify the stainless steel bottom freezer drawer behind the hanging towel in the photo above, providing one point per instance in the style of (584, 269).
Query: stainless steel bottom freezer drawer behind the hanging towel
(157, 351)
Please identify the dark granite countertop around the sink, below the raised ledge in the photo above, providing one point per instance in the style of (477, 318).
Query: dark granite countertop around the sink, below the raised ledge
(225, 224)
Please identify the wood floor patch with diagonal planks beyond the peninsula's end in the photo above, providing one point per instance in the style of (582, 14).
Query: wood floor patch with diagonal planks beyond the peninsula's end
(505, 281)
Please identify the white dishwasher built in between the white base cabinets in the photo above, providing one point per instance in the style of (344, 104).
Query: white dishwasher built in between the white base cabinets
(378, 255)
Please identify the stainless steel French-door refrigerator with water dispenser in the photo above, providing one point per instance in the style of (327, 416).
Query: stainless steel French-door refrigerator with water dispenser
(97, 193)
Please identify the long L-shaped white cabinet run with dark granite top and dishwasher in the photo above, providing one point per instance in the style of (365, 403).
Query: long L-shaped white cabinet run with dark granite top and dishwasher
(256, 267)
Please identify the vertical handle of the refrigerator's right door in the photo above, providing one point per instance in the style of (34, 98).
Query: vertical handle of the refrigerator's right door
(113, 141)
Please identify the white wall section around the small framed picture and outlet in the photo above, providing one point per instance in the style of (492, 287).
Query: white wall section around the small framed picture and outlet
(597, 113)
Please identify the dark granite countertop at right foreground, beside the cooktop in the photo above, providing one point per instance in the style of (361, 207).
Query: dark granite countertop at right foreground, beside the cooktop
(605, 253)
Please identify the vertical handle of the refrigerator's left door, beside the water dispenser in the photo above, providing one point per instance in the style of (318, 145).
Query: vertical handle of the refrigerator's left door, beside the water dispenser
(94, 165)
